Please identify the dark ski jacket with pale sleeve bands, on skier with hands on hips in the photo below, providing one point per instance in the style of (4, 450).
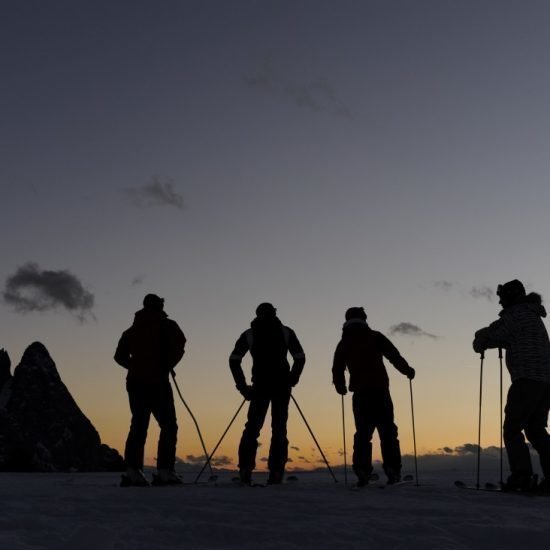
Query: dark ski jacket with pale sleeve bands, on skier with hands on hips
(269, 343)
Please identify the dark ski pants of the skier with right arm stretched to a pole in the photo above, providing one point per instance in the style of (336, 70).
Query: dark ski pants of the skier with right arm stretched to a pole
(373, 410)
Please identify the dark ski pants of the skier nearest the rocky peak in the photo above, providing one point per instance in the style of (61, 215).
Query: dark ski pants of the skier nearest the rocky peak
(154, 398)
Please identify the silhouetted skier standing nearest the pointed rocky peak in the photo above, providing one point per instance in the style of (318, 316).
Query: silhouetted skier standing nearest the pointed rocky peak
(150, 349)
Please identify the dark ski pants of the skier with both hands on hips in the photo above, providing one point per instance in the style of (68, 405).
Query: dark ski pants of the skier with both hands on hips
(257, 410)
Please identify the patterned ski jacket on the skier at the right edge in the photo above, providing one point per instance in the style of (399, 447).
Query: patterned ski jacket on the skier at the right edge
(521, 332)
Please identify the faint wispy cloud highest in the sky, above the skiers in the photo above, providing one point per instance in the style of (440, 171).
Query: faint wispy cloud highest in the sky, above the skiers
(317, 96)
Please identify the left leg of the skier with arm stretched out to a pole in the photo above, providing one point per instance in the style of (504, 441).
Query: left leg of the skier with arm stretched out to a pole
(362, 439)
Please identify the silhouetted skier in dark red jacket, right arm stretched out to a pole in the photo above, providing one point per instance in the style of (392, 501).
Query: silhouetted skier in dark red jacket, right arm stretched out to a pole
(361, 350)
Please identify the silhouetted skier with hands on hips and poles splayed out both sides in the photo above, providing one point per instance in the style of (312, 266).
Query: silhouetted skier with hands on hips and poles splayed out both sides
(269, 342)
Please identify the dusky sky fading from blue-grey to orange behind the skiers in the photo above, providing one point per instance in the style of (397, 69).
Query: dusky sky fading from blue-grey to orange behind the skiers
(314, 154)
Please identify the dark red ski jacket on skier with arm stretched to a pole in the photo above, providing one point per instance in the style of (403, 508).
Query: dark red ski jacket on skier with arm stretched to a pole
(361, 350)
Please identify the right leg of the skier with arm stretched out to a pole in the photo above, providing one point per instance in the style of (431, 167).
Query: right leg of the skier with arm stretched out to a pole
(387, 430)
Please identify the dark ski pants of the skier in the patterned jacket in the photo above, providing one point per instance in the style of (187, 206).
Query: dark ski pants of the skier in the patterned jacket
(526, 411)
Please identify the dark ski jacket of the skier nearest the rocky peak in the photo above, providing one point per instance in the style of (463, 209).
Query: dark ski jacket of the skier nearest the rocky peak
(151, 347)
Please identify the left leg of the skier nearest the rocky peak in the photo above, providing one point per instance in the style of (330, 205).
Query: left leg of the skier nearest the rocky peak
(140, 408)
